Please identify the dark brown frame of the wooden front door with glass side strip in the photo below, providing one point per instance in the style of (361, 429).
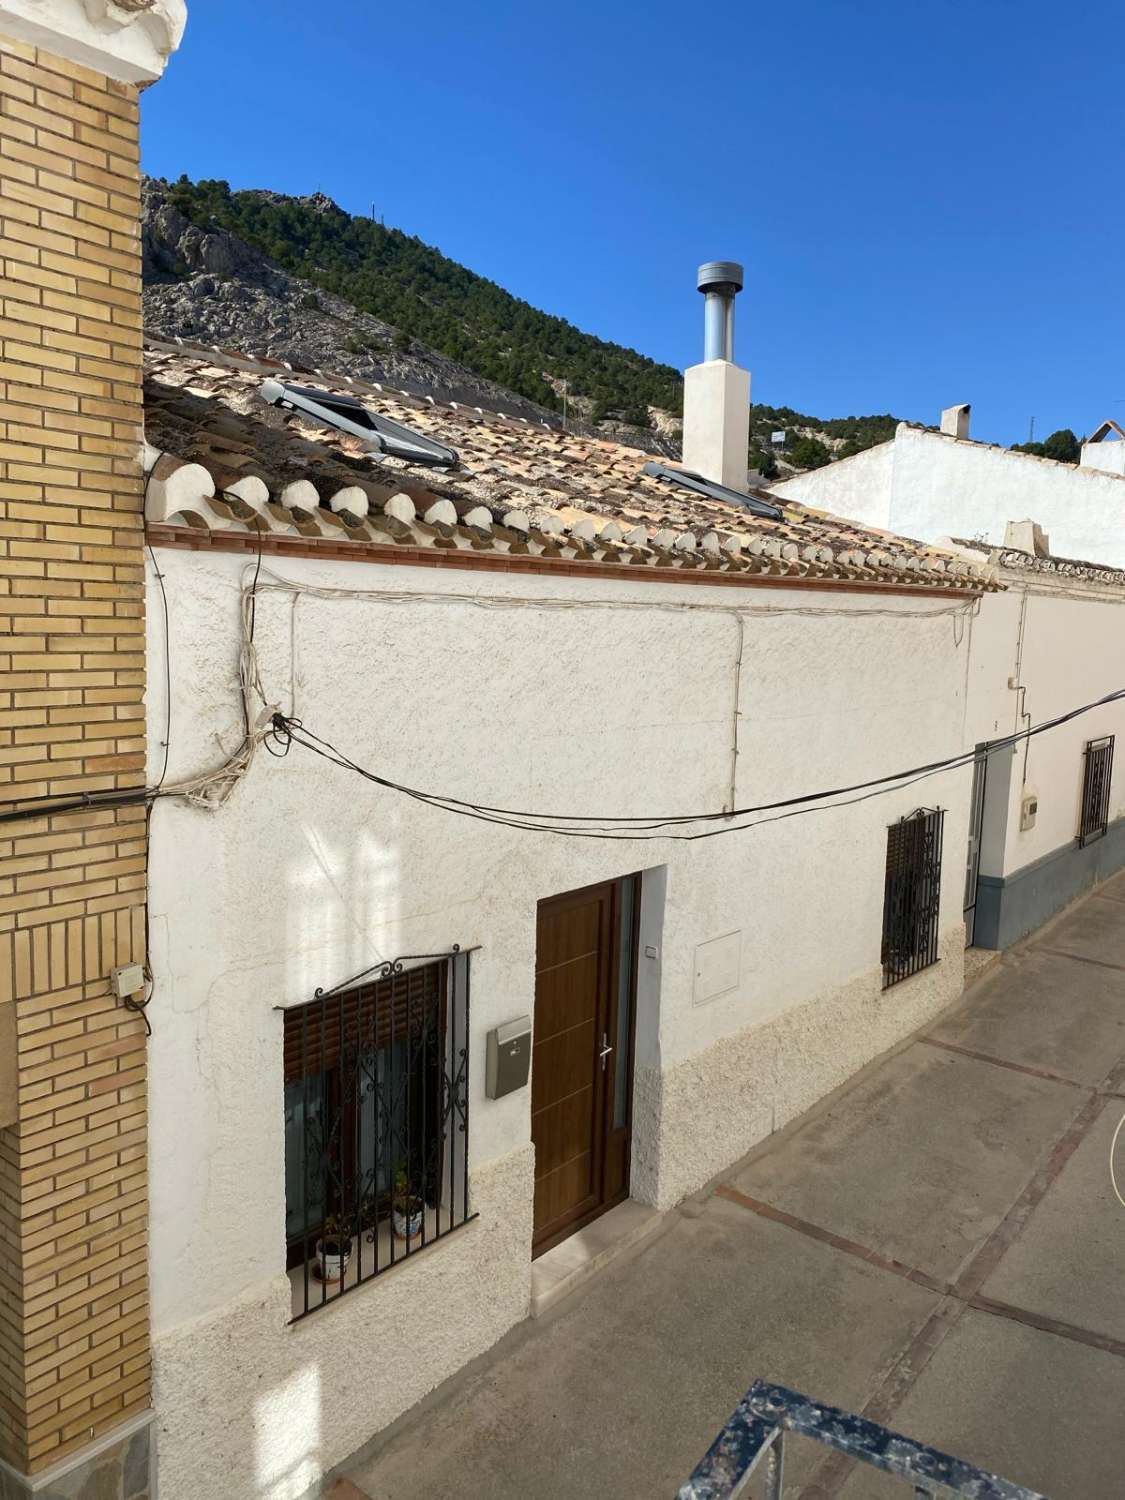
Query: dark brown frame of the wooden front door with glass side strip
(608, 1139)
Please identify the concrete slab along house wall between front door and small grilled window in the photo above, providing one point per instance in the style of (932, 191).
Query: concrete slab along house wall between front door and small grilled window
(922, 1160)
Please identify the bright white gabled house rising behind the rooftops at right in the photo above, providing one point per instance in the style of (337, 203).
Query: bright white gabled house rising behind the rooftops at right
(928, 485)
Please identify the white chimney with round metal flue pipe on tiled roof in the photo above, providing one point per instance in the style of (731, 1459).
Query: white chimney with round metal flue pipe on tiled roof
(718, 392)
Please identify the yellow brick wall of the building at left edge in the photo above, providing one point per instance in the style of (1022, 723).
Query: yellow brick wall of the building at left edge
(74, 1309)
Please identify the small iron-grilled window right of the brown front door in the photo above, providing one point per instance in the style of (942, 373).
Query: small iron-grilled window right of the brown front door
(913, 895)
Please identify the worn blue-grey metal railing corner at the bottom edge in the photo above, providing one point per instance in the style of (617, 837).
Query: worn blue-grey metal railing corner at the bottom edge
(766, 1414)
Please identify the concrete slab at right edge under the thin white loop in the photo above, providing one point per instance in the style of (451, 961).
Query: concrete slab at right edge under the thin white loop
(1070, 1259)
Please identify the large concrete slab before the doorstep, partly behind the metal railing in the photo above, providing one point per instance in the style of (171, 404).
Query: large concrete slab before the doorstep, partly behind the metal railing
(625, 1390)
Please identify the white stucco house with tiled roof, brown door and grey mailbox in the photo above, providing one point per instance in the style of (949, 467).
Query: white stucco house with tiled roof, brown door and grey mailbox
(547, 628)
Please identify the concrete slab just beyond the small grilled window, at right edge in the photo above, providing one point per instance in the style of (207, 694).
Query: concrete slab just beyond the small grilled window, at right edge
(1046, 1012)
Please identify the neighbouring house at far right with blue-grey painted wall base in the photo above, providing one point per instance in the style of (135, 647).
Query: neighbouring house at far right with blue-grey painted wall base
(1048, 820)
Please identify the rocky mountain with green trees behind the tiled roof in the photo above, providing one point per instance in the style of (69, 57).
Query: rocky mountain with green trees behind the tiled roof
(305, 281)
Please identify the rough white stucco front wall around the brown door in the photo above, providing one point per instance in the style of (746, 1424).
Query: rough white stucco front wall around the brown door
(310, 875)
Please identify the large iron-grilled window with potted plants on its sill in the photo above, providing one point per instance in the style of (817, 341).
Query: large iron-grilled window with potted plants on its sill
(376, 1124)
